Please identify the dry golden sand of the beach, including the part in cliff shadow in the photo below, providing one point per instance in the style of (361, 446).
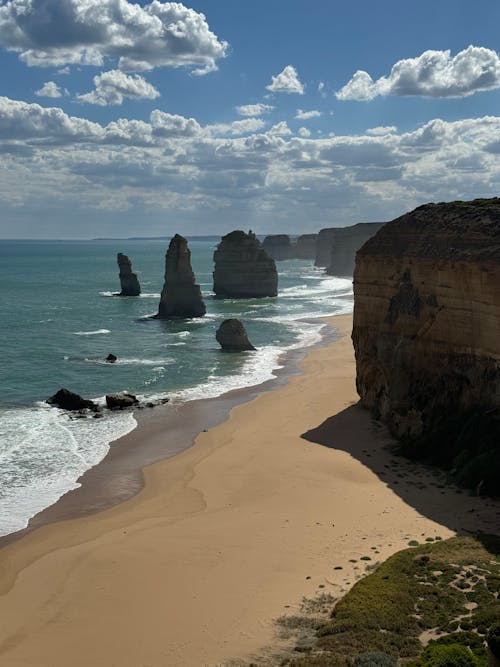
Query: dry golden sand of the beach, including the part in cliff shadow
(227, 535)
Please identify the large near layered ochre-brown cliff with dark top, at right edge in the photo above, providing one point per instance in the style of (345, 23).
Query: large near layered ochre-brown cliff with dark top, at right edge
(426, 327)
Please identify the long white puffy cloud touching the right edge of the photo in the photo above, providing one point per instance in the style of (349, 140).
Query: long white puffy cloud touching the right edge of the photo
(432, 74)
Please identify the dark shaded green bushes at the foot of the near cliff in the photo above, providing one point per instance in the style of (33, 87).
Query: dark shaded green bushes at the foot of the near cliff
(465, 443)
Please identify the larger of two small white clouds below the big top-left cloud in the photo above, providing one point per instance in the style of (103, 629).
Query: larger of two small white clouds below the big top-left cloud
(114, 86)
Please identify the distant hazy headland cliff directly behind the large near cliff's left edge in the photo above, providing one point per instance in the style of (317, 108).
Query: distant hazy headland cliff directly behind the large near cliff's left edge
(345, 243)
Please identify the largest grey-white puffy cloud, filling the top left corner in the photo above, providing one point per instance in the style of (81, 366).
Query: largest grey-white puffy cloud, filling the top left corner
(88, 32)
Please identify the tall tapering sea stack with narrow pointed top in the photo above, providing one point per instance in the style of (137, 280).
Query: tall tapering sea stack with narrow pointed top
(180, 296)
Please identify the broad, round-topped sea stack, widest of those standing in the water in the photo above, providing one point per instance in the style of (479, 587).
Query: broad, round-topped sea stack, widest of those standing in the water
(243, 269)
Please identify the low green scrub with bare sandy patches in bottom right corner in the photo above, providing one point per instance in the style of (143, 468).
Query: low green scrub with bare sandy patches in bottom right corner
(447, 592)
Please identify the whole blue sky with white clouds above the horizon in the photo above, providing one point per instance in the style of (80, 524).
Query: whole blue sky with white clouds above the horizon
(122, 119)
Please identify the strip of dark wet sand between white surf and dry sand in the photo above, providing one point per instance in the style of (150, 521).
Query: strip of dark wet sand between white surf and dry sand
(119, 475)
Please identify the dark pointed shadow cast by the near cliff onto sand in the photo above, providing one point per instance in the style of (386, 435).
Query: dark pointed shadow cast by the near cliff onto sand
(423, 487)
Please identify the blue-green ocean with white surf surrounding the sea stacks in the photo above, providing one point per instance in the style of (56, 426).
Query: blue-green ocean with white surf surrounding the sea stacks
(60, 319)
